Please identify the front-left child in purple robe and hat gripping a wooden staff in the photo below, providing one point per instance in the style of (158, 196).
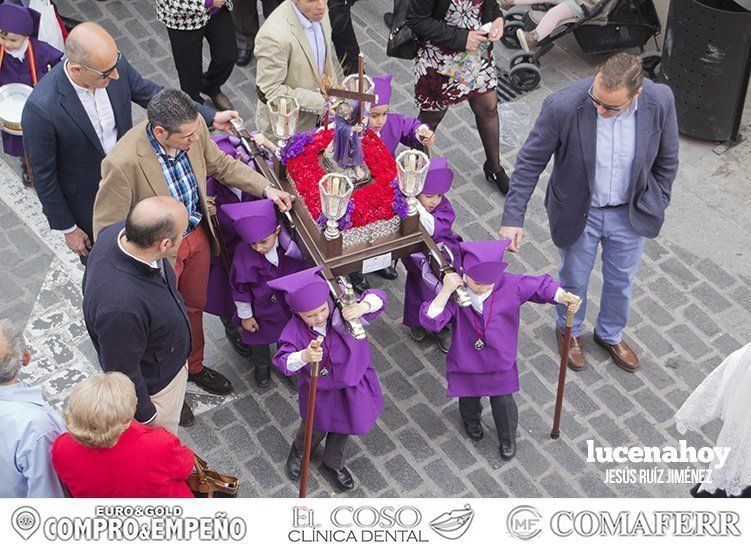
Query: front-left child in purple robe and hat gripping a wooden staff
(348, 397)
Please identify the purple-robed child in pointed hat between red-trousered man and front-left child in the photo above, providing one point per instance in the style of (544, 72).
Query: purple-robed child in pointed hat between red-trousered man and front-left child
(264, 253)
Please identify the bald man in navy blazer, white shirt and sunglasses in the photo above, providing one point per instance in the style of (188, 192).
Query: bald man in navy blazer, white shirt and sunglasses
(73, 119)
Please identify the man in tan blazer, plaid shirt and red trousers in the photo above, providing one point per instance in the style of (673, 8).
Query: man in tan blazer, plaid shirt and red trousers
(171, 154)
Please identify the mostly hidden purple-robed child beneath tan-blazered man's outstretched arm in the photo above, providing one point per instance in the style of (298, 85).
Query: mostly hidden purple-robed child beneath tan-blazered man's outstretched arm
(219, 300)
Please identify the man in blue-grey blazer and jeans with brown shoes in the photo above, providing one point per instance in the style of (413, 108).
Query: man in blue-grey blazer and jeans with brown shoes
(615, 142)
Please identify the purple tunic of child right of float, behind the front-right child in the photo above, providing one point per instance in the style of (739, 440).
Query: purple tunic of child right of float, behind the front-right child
(417, 288)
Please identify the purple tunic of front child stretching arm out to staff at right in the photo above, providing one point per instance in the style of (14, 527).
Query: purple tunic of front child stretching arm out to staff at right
(490, 371)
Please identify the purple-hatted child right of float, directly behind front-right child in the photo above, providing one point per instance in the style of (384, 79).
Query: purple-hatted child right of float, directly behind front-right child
(437, 216)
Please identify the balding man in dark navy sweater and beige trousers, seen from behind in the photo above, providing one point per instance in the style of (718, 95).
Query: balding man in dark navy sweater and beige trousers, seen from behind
(135, 316)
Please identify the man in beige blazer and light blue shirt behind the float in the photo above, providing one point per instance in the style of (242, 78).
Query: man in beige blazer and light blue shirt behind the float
(293, 51)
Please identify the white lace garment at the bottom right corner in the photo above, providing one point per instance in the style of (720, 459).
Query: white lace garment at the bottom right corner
(725, 394)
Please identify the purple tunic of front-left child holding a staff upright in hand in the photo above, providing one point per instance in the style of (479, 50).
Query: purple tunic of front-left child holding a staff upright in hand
(349, 398)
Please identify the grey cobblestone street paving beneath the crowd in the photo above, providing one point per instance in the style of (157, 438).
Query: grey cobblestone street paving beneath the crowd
(691, 308)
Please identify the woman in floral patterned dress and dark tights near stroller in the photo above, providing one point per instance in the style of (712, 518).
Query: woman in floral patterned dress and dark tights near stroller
(448, 30)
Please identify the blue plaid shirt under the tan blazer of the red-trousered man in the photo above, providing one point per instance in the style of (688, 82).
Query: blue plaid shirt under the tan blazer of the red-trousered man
(181, 181)
